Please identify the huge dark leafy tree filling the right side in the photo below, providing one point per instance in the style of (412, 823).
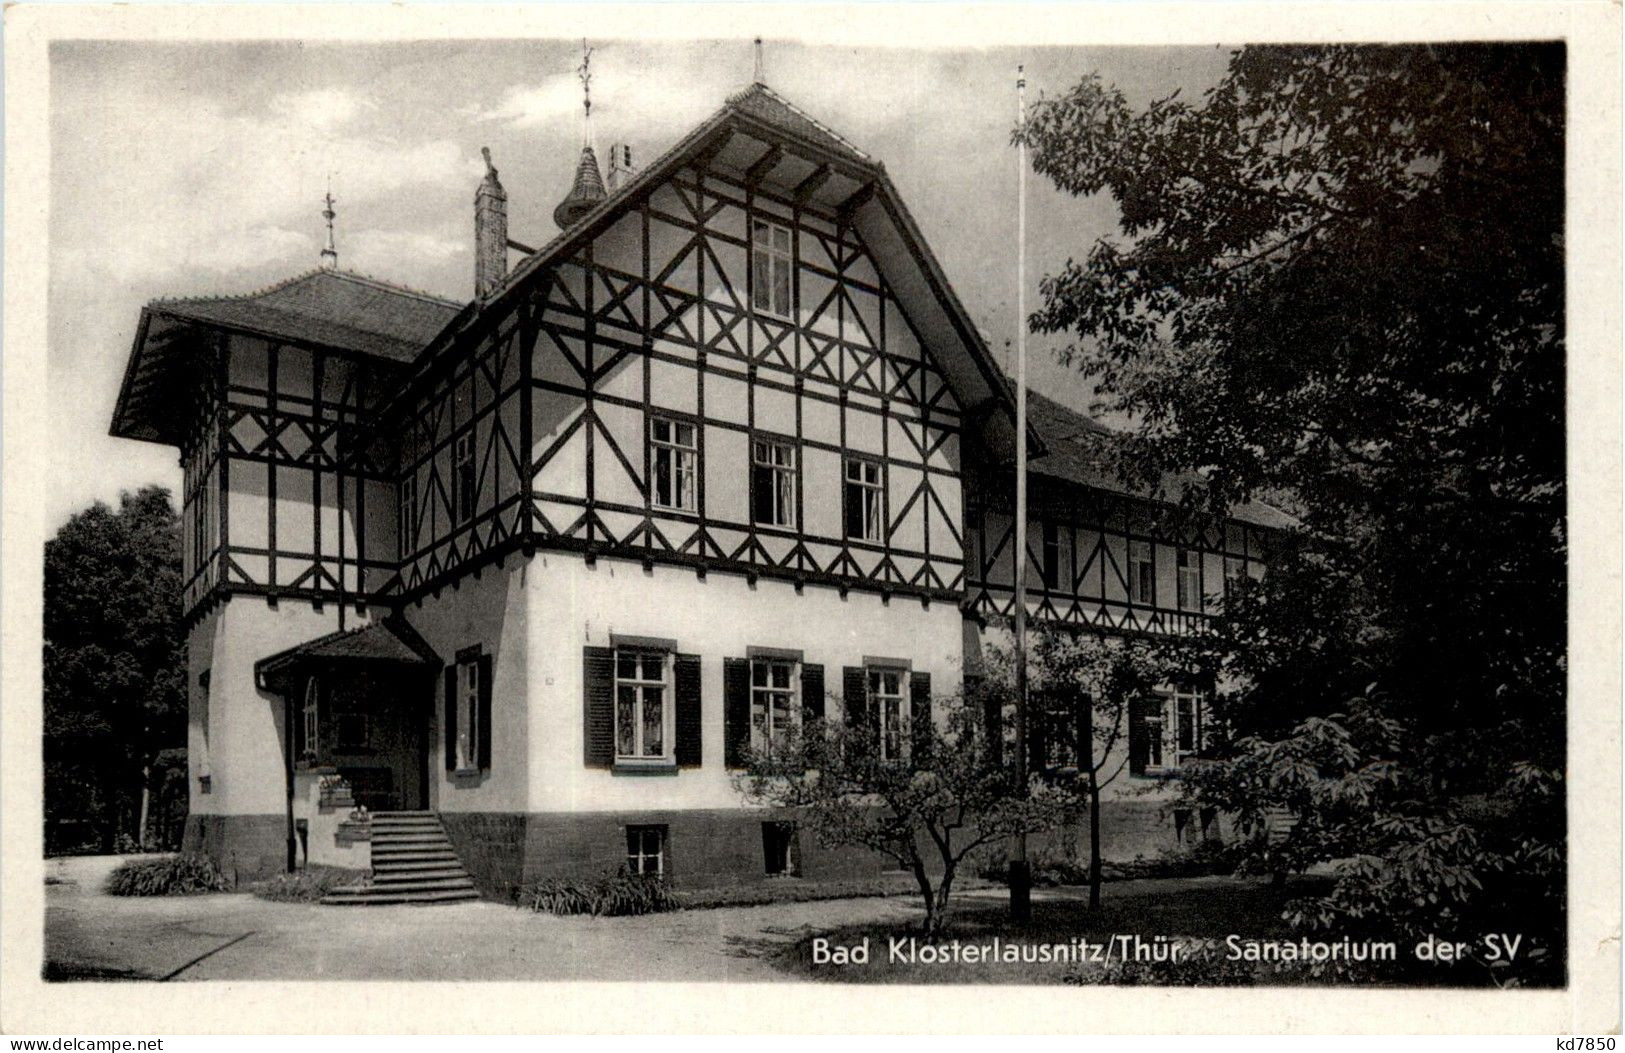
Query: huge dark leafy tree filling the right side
(1341, 282)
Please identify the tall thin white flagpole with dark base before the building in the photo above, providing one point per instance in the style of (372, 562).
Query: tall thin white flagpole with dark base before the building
(1021, 875)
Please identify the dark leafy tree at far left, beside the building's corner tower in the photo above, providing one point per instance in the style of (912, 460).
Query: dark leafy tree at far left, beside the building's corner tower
(115, 664)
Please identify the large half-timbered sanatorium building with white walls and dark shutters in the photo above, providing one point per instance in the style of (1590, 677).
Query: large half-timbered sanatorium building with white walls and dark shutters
(503, 589)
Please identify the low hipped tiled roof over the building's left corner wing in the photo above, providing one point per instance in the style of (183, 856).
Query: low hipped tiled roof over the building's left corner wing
(323, 308)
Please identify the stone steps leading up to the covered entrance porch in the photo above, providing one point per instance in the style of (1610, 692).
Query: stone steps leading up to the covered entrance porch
(414, 862)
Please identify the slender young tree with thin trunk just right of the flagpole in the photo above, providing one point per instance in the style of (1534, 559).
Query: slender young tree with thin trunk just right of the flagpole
(1080, 691)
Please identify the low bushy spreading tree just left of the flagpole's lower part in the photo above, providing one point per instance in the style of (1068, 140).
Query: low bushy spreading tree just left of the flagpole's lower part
(950, 797)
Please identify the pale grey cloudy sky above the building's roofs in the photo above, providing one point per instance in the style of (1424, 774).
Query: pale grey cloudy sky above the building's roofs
(199, 170)
